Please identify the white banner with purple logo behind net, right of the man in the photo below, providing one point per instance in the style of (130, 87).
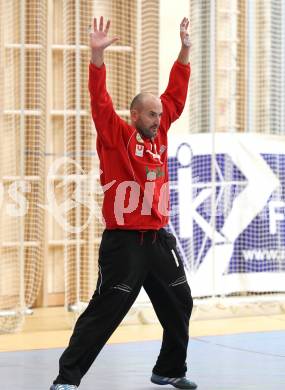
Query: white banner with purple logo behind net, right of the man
(228, 210)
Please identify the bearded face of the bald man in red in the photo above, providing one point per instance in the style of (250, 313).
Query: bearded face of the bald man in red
(146, 118)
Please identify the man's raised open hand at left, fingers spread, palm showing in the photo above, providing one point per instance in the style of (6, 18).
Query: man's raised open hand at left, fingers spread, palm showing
(98, 37)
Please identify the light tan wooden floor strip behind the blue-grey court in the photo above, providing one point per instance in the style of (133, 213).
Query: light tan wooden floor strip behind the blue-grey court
(51, 328)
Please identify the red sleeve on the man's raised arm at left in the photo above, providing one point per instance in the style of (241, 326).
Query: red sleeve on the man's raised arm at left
(108, 124)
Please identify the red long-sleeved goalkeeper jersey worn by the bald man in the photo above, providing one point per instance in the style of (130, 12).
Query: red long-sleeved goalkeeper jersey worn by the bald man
(134, 170)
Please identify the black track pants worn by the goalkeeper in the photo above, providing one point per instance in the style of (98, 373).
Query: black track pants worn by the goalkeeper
(128, 260)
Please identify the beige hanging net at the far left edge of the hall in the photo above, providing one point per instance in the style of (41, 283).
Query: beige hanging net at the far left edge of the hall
(22, 132)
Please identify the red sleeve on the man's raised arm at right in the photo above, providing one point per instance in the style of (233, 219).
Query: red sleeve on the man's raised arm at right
(174, 97)
